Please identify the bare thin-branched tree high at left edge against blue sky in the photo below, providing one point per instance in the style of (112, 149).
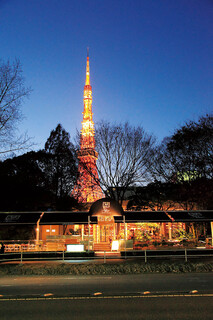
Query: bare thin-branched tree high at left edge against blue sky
(12, 94)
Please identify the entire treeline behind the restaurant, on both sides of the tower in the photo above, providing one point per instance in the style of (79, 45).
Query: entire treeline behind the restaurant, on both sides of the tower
(131, 166)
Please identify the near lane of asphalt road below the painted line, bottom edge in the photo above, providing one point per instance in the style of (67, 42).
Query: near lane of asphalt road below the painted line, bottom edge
(147, 308)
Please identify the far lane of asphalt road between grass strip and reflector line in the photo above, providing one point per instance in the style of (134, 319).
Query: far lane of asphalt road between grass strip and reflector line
(70, 285)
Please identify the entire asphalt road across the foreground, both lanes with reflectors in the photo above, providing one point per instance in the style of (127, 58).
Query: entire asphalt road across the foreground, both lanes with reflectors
(151, 296)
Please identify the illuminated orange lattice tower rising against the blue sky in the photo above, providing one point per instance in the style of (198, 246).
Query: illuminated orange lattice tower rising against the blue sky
(87, 188)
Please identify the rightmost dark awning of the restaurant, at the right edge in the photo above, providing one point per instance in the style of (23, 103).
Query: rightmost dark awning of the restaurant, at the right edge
(191, 216)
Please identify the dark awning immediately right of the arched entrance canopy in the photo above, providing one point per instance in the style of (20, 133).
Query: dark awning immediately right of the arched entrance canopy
(143, 216)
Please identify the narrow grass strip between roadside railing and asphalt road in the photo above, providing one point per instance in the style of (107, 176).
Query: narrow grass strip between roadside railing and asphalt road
(102, 269)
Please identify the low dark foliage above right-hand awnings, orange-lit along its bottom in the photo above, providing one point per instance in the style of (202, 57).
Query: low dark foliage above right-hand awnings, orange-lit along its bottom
(165, 196)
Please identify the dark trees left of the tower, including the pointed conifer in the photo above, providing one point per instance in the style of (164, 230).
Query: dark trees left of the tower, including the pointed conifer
(40, 180)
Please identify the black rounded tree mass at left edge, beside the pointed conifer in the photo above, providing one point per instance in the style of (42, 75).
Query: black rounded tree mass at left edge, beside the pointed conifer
(23, 183)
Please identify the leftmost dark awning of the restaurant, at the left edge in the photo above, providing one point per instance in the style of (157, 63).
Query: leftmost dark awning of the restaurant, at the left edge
(19, 218)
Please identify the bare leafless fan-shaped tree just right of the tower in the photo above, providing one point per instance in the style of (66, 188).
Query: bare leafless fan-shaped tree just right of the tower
(124, 155)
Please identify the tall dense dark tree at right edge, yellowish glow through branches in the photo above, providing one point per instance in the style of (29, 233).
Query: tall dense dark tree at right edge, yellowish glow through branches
(186, 158)
